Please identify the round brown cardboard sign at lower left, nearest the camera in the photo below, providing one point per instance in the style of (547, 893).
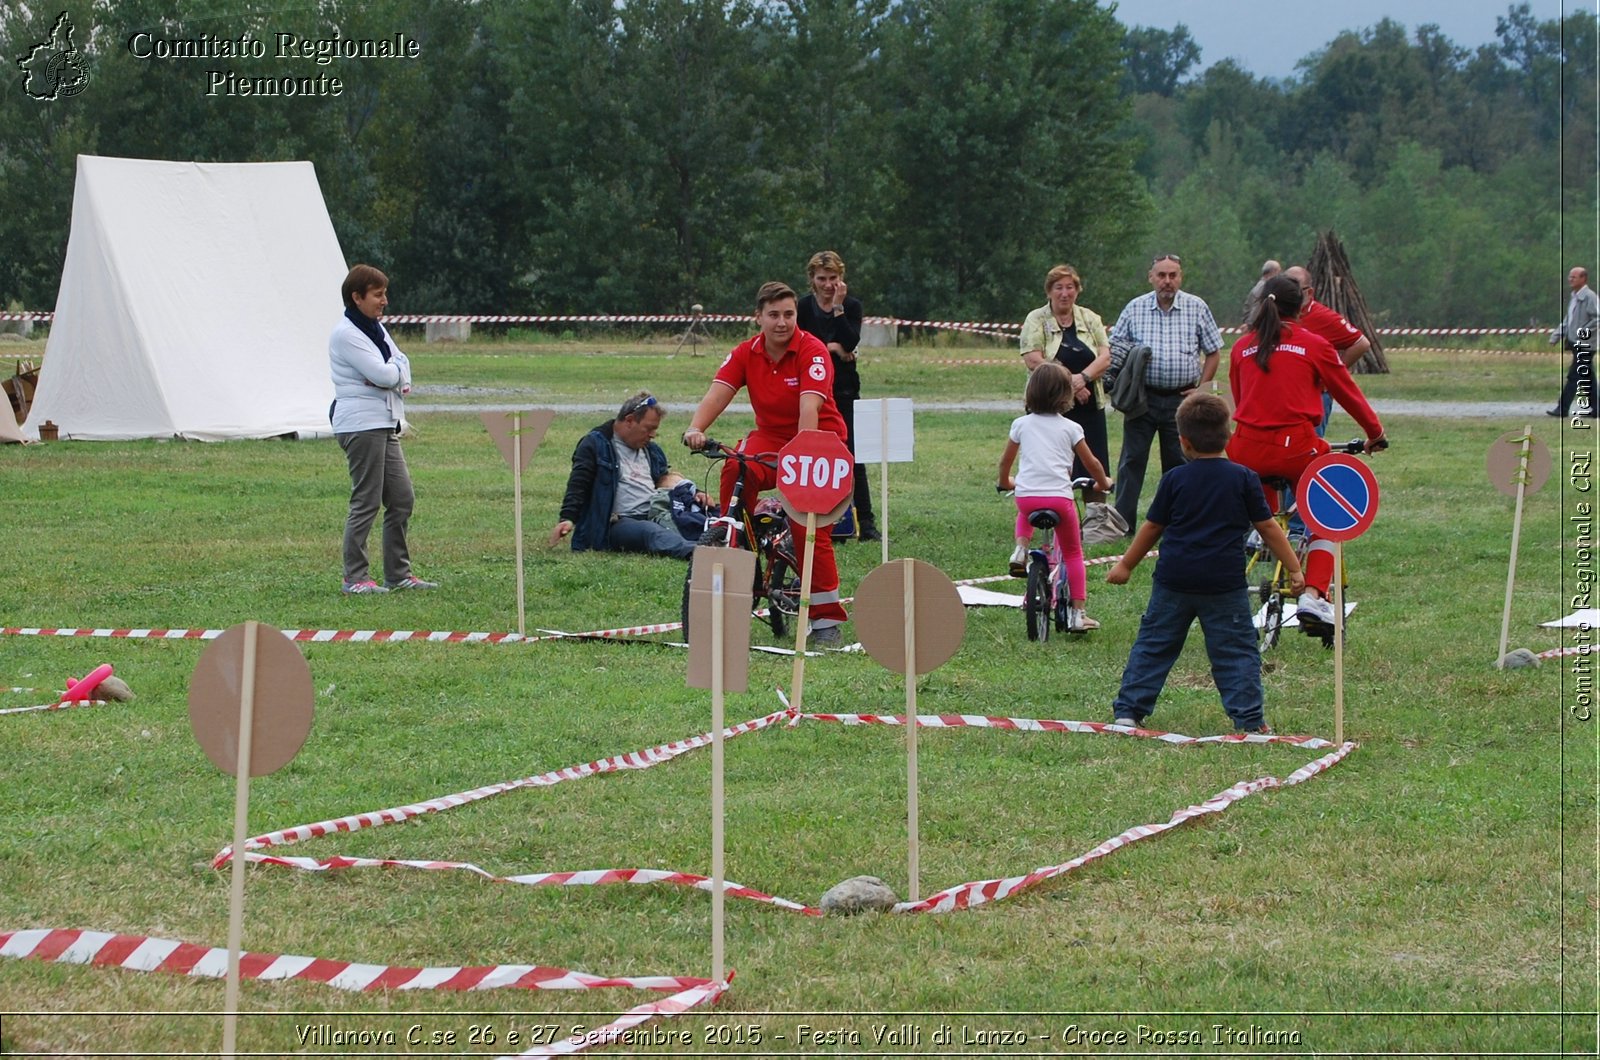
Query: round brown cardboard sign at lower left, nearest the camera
(282, 705)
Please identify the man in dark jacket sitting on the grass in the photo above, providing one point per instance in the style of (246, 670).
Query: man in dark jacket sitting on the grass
(617, 472)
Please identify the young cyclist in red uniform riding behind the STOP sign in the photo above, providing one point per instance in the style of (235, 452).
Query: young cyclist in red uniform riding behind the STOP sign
(790, 379)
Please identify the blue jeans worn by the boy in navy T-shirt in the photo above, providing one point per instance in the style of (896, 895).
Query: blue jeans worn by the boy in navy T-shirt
(1226, 620)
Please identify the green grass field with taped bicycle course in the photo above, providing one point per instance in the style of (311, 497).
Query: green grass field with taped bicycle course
(1436, 894)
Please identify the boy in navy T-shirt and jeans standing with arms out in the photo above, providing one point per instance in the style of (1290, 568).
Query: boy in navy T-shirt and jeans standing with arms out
(1201, 515)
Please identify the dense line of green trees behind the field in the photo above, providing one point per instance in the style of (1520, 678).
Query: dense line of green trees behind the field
(638, 156)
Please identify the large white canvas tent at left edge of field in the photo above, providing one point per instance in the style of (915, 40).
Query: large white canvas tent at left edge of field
(196, 302)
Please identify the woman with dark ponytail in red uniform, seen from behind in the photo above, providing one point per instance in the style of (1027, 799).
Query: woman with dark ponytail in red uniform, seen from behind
(1278, 374)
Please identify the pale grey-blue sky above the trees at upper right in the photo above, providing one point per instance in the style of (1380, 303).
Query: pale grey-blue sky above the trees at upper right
(1270, 39)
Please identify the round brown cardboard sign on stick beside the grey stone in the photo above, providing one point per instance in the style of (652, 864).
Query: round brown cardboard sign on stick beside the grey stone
(938, 614)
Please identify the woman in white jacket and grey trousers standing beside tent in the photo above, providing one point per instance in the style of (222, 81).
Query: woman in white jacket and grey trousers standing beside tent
(370, 382)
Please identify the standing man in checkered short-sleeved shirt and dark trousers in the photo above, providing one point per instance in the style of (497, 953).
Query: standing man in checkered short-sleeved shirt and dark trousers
(1185, 343)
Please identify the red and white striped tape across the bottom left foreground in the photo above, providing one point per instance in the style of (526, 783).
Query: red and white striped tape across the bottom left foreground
(164, 955)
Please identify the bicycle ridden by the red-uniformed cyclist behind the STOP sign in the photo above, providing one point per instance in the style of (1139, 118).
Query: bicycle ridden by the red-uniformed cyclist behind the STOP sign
(766, 532)
